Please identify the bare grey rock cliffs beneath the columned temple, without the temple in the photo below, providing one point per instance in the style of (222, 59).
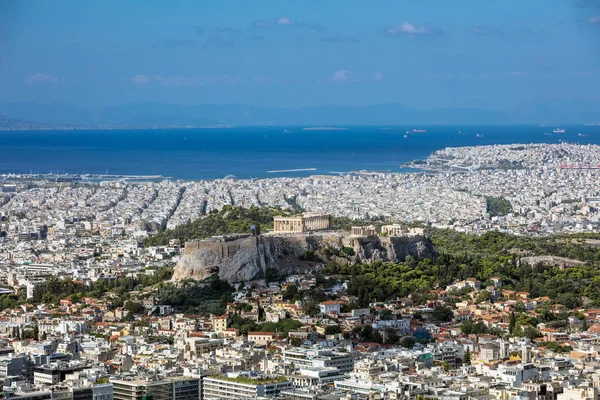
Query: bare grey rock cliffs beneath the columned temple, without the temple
(247, 258)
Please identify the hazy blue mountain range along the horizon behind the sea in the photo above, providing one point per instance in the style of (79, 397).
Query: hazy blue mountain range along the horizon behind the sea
(64, 116)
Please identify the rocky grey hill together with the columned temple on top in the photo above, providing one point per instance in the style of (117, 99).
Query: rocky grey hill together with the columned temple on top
(243, 257)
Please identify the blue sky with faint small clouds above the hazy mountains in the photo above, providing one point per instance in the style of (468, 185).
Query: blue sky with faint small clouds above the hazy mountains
(422, 53)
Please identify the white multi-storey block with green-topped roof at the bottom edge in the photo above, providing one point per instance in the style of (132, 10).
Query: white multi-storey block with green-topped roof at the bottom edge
(237, 387)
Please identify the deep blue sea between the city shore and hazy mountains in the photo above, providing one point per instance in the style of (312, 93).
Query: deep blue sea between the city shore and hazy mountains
(255, 152)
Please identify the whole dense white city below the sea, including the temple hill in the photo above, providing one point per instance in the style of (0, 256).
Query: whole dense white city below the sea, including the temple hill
(473, 277)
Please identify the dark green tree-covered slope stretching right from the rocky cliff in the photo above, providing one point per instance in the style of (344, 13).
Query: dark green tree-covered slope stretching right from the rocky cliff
(492, 254)
